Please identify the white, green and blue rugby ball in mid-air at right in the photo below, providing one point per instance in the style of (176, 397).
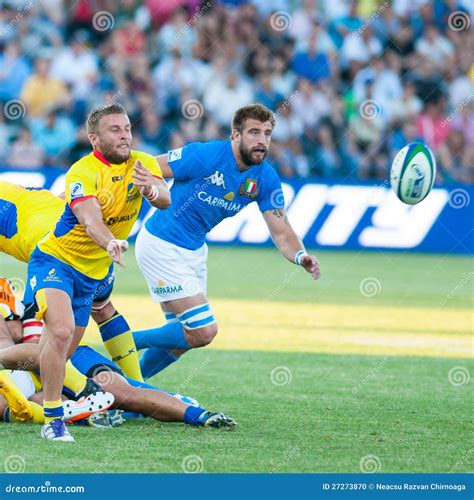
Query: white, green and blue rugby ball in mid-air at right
(413, 173)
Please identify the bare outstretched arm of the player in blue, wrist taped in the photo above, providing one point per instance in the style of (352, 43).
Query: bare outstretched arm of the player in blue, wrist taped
(288, 243)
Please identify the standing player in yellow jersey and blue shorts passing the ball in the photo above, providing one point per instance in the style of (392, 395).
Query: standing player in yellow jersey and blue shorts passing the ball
(103, 197)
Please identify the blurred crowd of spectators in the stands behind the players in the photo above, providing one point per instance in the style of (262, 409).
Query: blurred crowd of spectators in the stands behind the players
(350, 82)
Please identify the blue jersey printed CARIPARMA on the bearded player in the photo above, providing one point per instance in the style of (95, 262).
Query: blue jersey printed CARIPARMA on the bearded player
(208, 187)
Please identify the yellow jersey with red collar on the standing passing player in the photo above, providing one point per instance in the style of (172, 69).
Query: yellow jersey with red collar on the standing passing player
(120, 201)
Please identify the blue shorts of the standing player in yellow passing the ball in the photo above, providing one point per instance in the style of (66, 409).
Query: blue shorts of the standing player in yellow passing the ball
(45, 271)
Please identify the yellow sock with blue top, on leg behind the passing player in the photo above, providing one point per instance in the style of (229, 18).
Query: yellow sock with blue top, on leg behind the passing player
(118, 340)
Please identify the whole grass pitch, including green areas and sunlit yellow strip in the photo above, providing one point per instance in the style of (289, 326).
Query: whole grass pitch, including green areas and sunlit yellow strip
(367, 369)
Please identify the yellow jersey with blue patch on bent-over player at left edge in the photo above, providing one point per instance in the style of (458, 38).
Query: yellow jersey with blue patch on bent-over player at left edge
(26, 215)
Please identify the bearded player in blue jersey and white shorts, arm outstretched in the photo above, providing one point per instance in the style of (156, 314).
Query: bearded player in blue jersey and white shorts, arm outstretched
(212, 181)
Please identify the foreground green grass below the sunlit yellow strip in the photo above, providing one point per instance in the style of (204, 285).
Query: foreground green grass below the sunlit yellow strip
(334, 412)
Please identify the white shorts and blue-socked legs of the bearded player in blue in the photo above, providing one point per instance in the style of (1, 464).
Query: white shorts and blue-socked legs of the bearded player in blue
(177, 279)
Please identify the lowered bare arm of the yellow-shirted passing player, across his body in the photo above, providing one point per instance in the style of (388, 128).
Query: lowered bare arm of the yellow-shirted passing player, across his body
(89, 214)
